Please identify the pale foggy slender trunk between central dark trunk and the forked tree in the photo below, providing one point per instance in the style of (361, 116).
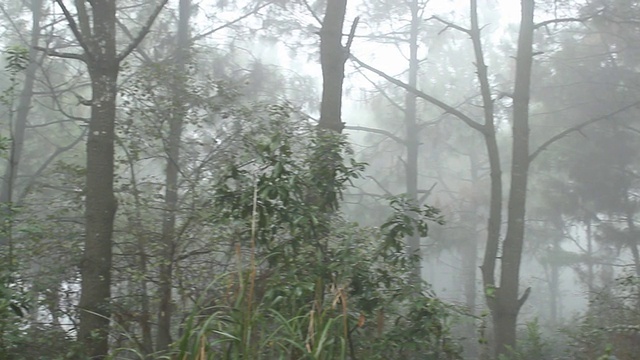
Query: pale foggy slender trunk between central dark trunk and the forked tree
(413, 134)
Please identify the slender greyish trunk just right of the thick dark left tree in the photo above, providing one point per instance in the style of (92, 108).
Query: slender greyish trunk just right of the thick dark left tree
(172, 179)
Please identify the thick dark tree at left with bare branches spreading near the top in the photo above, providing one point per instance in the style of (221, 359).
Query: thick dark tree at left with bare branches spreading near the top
(95, 31)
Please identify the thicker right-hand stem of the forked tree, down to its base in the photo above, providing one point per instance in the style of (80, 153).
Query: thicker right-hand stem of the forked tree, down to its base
(508, 300)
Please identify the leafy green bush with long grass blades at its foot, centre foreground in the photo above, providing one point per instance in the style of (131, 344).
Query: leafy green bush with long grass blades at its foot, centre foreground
(308, 284)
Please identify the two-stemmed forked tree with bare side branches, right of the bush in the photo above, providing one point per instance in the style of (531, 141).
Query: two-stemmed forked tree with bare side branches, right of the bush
(503, 298)
